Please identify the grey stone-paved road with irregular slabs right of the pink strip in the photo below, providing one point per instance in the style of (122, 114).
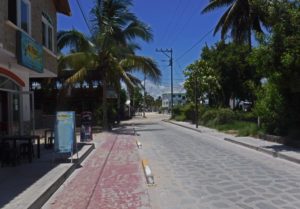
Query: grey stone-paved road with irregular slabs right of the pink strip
(201, 170)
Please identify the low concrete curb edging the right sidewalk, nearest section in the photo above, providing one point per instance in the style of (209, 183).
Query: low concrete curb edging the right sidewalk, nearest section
(263, 150)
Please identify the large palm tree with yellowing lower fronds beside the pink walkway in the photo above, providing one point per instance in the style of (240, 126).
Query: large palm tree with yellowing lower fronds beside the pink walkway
(109, 53)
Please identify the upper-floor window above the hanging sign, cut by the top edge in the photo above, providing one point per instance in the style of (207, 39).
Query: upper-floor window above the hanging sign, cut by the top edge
(19, 13)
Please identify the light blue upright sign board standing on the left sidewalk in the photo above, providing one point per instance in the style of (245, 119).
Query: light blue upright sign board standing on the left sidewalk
(64, 132)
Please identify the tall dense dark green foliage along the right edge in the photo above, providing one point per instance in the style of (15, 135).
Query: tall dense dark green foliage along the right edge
(278, 59)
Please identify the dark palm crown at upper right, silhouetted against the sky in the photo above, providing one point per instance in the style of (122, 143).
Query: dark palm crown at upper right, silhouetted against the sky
(241, 17)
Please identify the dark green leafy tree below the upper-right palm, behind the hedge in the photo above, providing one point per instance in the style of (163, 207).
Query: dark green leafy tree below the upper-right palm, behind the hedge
(235, 76)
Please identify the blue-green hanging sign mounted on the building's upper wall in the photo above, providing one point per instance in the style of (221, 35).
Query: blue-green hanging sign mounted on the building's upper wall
(30, 54)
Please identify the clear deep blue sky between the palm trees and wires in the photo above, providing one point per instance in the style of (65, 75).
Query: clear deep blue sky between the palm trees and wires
(176, 24)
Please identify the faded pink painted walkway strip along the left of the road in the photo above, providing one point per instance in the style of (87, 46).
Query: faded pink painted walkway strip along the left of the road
(112, 177)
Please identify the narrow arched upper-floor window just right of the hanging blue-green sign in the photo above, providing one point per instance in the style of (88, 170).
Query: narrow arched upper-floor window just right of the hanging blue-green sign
(47, 32)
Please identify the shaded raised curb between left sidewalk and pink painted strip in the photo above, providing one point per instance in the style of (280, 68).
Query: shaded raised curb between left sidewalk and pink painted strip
(43, 198)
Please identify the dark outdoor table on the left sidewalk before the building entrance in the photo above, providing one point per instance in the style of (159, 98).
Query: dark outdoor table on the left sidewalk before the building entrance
(27, 138)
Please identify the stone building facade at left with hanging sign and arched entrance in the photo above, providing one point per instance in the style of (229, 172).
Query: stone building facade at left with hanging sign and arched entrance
(27, 50)
